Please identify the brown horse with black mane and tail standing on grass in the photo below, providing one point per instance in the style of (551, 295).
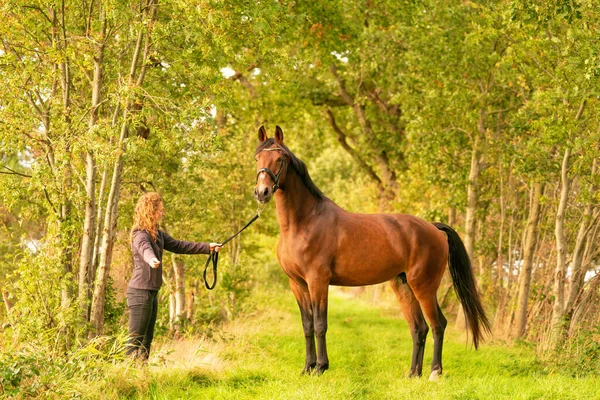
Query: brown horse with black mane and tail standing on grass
(322, 244)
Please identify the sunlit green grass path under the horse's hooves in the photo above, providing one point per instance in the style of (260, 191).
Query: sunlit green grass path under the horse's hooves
(261, 356)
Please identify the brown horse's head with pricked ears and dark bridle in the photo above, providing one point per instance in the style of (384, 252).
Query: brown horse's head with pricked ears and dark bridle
(271, 163)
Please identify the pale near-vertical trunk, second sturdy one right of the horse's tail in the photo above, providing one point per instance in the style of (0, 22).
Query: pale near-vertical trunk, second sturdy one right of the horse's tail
(561, 255)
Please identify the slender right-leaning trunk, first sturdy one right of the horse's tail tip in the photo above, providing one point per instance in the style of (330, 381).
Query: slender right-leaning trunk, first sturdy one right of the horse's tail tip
(528, 253)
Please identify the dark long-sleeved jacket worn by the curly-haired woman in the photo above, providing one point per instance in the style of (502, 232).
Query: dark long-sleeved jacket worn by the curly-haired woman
(144, 249)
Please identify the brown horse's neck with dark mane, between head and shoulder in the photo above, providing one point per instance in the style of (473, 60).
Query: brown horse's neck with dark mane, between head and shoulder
(294, 203)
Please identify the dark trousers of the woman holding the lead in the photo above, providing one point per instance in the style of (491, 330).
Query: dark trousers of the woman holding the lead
(143, 305)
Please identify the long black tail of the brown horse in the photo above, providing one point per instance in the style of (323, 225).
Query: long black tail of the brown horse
(464, 285)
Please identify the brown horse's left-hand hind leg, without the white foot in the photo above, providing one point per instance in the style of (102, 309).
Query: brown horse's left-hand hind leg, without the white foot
(413, 314)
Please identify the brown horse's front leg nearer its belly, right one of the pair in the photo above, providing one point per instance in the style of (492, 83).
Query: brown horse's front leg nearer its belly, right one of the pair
(319, 289)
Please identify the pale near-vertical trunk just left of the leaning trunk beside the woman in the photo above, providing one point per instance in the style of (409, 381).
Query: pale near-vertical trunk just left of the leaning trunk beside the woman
(89, 225)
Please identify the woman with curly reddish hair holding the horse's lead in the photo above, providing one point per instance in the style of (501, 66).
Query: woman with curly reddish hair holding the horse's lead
(147, 245)
